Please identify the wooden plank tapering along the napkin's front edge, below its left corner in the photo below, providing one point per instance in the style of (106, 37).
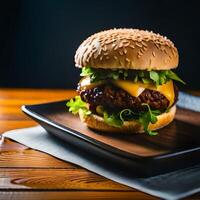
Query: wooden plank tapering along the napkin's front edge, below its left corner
(15, 155)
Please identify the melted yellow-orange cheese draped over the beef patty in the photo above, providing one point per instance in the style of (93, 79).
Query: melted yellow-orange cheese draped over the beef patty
(135, 89)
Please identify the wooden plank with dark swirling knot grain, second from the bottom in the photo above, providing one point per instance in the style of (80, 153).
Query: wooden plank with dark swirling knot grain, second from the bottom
(56, 179)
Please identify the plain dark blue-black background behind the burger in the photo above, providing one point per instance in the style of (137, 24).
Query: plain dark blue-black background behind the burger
(38, 38)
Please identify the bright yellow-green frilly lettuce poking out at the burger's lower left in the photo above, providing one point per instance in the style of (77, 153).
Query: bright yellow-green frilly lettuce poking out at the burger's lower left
(77, 104)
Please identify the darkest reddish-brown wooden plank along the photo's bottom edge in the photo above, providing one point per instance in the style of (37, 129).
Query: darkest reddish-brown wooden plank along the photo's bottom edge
(74, 195)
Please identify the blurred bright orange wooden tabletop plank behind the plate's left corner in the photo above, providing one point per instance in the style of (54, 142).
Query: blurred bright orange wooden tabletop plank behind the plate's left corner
(12, 100)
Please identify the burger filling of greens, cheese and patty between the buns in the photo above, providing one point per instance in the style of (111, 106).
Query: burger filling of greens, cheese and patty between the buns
(125, 95)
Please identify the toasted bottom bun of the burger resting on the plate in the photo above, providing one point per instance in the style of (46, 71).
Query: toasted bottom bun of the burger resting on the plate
(97, 123)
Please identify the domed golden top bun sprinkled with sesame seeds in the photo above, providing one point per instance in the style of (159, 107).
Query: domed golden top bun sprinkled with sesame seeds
(127, 49)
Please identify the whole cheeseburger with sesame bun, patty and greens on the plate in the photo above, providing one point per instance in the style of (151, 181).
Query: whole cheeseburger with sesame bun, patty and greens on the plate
(127, 83)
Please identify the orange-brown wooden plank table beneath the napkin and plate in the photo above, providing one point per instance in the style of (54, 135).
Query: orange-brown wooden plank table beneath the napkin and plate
(30, 174)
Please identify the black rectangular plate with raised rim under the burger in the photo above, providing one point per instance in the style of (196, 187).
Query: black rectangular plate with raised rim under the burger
(177, 145)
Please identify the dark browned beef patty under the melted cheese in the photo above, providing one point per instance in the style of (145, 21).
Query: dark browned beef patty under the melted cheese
(112, 97)
